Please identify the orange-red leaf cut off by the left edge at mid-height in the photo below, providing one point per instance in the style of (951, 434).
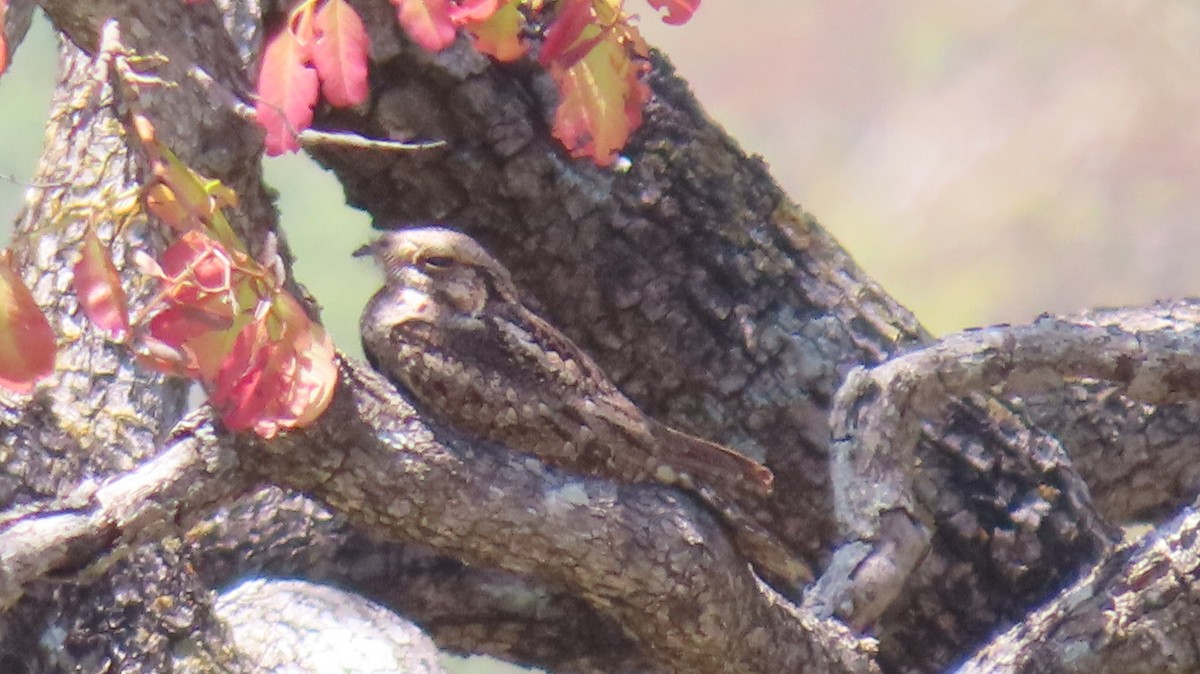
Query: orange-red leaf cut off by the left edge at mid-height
(27, 341)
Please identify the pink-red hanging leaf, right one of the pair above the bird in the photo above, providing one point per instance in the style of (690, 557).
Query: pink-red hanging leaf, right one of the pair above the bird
(341, 55)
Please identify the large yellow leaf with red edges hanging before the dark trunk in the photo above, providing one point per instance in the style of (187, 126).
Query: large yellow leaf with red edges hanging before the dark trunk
(602, 101)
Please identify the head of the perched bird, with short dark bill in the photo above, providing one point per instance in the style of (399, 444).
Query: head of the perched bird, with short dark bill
(448, 267)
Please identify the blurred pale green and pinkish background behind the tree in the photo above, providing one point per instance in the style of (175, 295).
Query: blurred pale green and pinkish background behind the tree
(983, 161)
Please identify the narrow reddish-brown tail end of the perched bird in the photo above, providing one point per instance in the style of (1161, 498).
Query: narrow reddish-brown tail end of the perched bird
(715, 466)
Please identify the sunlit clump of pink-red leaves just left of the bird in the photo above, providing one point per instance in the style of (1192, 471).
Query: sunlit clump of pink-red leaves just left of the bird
(265, 364)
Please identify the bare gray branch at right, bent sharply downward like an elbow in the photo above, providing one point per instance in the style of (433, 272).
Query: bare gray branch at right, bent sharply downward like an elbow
(879, 414)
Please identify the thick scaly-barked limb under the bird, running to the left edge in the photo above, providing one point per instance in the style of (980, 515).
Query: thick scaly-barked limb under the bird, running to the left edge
(649, 558)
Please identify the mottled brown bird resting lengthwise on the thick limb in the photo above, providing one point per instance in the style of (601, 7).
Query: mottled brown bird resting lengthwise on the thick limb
(449, 327)
